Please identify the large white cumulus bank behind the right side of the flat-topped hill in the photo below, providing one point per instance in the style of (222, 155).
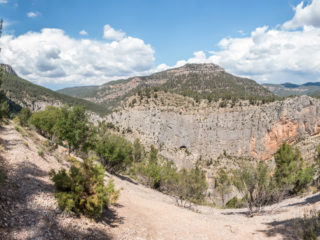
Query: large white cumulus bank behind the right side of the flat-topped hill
(269, 55)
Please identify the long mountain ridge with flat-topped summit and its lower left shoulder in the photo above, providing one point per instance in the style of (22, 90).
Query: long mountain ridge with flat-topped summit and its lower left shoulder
(193, 80)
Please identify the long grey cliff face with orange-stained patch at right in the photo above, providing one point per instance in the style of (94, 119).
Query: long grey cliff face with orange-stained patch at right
(252, 131)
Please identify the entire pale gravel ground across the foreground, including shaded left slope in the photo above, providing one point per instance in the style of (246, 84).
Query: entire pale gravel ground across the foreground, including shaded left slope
(28, 209)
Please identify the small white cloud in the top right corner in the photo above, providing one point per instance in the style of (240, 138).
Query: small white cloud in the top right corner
(305, 16)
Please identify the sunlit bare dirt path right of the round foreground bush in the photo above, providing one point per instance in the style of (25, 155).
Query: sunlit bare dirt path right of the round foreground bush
(152, 215)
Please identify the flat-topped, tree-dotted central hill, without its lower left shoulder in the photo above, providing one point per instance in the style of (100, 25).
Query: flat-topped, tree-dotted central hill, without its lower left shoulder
(203, 81)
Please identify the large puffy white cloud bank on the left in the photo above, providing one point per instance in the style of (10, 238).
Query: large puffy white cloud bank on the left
(52, 57)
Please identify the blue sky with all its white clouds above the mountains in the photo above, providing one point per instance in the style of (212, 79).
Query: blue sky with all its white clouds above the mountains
(60, 44)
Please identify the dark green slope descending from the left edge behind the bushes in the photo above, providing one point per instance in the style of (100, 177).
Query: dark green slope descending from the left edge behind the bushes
(25, 93)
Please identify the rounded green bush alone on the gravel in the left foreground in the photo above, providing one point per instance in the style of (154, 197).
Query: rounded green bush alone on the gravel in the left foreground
(82, 189)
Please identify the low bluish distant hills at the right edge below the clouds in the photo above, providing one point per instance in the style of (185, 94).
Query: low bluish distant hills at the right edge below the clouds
(288, 89)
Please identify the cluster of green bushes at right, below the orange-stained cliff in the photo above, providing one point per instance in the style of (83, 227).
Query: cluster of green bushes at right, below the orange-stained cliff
(259, 185)
